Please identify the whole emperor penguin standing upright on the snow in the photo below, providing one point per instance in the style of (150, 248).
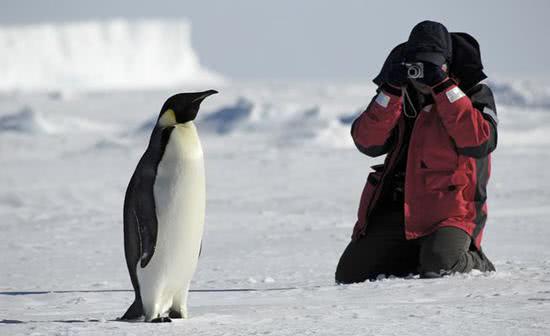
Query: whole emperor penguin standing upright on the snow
(164, 213)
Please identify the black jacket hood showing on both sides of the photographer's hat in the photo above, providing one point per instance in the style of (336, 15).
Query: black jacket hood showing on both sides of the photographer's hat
(465, 64)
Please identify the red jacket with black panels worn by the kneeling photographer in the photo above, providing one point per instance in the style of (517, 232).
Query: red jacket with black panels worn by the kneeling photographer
(448, 160)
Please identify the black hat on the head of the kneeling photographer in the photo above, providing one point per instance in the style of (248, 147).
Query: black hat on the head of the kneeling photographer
(429, 41)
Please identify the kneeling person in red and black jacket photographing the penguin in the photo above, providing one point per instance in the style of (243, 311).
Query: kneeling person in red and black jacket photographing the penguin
(423, 211)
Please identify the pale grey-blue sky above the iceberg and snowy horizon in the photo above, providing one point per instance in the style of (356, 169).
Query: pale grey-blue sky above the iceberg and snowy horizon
(316, 39)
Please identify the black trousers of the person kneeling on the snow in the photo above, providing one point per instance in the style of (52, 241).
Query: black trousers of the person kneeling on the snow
(384, 250)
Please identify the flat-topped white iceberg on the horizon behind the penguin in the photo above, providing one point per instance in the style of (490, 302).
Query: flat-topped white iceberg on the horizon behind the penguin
(115, 54)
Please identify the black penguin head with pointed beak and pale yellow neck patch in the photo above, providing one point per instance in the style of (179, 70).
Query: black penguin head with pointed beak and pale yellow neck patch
(182, 108)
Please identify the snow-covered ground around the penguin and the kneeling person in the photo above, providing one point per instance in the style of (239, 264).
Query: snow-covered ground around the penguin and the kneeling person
(283, 185)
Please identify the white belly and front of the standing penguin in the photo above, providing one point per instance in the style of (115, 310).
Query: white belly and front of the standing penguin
(179, 192)
